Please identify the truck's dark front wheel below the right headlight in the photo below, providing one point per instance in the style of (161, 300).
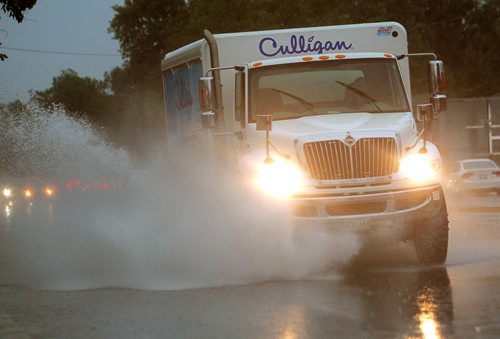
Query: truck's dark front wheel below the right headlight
(431, 239)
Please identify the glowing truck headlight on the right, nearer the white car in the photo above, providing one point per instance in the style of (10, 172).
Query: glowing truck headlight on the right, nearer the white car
(420, 167)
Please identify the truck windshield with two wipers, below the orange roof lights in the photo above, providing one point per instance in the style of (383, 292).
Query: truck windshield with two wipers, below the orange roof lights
(328, 87)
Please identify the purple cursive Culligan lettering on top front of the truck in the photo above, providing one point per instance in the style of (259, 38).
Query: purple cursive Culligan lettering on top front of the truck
(299, 44)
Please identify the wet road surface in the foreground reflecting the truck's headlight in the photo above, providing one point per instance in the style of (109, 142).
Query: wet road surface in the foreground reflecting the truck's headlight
(365, 298)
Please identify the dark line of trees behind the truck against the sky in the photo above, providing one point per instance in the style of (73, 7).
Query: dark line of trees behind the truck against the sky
(129, 101)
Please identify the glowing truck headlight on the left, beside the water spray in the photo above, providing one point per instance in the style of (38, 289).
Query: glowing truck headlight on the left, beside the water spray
(279, 179)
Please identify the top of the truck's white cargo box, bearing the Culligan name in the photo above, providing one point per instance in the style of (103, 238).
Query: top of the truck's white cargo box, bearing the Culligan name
(244, 47)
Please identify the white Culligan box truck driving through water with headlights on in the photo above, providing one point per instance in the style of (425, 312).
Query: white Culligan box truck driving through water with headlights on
(329, 109)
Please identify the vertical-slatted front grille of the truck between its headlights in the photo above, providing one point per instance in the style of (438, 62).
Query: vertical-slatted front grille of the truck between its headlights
(366, 158)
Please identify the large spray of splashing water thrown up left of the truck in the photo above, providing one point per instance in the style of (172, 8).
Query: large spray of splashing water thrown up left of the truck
(176, 223)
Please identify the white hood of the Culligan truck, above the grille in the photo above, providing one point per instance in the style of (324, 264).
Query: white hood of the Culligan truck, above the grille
(335, 126)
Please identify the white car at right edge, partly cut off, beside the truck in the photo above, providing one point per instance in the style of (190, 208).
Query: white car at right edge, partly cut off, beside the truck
(474, 175)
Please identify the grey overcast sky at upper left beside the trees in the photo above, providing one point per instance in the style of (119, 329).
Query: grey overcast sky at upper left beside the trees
(56, 25)
